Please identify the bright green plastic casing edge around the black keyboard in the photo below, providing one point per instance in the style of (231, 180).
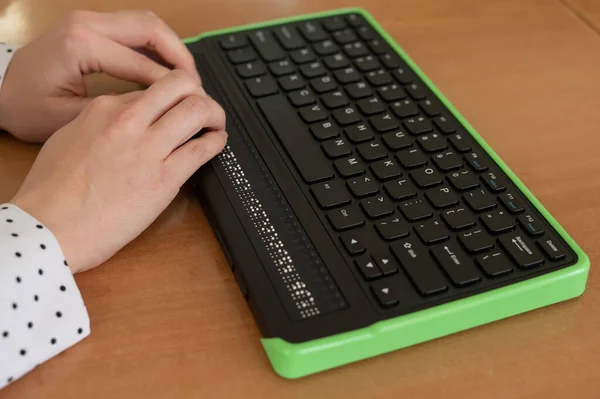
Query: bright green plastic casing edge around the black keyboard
(298, 360)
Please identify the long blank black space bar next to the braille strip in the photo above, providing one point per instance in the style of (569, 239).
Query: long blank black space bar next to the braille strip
(295, 138)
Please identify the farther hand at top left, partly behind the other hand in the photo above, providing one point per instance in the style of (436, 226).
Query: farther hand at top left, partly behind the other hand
(44, 87)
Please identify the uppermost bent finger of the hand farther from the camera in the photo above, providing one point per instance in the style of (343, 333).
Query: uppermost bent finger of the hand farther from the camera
(141, 29)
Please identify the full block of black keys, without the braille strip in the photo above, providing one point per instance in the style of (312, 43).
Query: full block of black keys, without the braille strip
(419, 210)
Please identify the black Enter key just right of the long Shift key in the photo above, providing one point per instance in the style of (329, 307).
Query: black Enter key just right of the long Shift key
(456, 263)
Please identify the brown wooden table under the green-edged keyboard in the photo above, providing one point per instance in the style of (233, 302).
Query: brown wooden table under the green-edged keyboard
(167, 318)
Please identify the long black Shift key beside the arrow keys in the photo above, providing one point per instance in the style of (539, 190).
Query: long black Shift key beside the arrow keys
(420, 267)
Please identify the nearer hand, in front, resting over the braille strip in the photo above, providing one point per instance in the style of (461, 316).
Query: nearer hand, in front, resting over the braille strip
(102, 179)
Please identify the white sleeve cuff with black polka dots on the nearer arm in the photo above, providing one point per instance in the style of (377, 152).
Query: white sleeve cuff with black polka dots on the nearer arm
(41, 310)
